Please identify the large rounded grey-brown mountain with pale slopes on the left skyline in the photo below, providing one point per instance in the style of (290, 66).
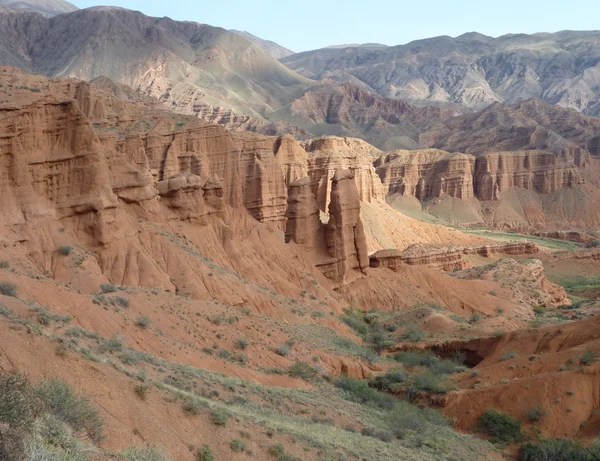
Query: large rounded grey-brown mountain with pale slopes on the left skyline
(185, 64)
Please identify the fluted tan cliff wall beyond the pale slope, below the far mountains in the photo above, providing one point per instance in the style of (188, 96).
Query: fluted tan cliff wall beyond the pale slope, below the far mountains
(433, 173)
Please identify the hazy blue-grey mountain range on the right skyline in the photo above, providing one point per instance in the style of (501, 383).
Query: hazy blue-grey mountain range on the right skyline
(473, 70)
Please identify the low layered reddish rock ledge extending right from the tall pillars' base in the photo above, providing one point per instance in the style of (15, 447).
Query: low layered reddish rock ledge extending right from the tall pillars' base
(446, 258)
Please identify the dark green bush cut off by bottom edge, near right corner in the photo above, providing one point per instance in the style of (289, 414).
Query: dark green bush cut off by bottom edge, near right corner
(558, 450)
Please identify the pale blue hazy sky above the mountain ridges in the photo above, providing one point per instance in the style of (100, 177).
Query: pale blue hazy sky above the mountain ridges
(310, 24)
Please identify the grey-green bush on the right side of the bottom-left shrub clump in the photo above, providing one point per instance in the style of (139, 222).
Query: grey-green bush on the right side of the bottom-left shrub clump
(76, 411)
